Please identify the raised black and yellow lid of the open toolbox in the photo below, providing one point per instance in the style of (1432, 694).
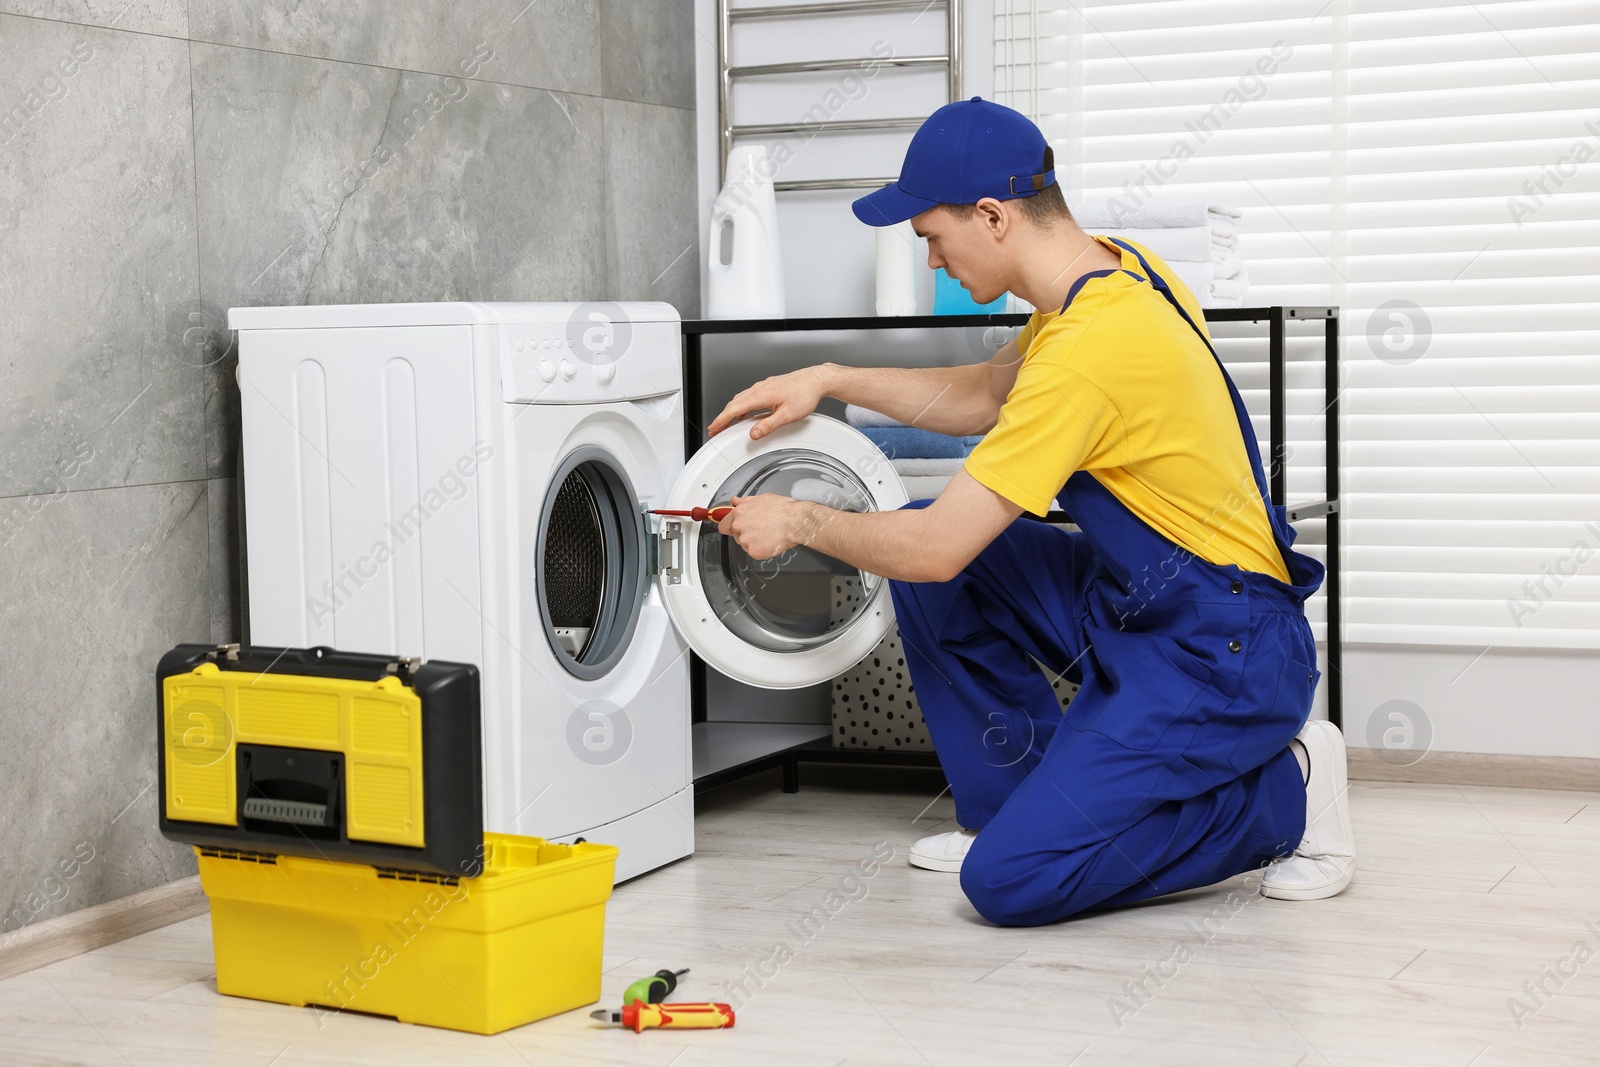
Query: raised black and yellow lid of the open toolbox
(316, 753)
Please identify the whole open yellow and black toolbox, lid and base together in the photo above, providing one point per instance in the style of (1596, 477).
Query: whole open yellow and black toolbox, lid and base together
(335, 802)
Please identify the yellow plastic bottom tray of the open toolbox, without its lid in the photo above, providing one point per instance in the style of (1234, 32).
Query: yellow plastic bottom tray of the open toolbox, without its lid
(519, 943)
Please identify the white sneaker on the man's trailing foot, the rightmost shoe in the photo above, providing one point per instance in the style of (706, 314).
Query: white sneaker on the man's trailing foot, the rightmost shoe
(1326, 860)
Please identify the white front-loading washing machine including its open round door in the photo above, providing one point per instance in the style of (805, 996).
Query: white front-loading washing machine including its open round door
(476, 482)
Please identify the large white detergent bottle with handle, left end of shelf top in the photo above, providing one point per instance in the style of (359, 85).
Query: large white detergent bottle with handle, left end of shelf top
(746, 276)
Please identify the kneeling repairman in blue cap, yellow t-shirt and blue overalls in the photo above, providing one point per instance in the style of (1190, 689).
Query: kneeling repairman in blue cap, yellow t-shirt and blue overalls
(1186, 756)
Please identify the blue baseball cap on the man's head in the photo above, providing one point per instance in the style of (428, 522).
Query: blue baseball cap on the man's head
(964, 153)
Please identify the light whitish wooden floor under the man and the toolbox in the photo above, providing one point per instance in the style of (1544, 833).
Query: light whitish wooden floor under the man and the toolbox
(1465, 895)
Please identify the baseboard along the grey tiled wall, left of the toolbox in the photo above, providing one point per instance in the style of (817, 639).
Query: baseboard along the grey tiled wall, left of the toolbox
(102, 925)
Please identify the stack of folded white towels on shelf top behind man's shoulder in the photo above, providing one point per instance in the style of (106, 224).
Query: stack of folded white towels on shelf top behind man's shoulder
(1198, 241)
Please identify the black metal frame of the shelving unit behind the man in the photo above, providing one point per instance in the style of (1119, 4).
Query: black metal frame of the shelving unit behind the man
(1276, 321)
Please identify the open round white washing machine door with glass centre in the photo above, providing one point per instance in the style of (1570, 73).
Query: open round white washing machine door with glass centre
(799, 618)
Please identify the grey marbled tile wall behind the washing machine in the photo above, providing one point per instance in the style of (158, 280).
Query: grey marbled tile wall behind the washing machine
(162, 162)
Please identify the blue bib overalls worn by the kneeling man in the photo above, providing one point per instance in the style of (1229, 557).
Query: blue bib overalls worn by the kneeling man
(1170, 769)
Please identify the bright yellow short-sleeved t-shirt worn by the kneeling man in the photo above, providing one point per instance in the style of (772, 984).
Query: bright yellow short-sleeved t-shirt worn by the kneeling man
(1122, 386)
